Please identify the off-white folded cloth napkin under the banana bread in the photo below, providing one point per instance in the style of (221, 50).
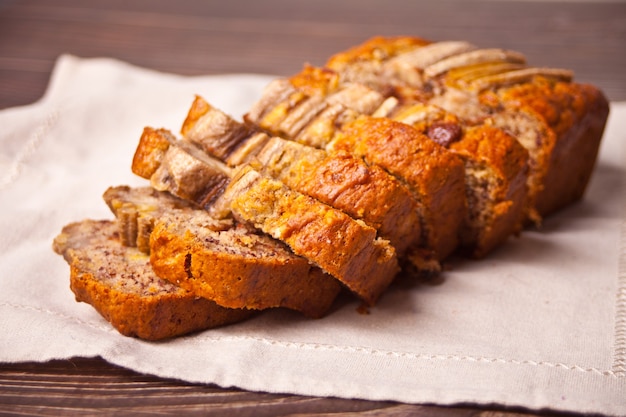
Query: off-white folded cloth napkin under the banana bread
(540, 323)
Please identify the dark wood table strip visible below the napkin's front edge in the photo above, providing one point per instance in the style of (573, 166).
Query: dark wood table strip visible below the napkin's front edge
(90, 386)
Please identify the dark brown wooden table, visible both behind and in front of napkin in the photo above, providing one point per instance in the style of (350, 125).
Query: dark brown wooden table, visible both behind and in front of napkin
(271, 37)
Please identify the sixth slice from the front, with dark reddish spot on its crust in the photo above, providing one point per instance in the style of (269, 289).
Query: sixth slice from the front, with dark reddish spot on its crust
(486, 223)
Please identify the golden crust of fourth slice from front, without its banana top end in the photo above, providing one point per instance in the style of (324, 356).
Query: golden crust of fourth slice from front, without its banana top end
(347, 183)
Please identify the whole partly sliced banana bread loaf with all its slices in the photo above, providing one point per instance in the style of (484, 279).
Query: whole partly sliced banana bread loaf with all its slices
(395, 155)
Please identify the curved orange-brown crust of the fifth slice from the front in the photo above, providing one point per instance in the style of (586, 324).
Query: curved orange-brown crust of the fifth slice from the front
(435, 174)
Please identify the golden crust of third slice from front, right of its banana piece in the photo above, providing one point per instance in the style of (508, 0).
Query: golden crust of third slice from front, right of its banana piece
(343, 247)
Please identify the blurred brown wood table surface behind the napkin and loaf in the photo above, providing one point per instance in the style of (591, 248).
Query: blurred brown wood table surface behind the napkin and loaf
(278, 36)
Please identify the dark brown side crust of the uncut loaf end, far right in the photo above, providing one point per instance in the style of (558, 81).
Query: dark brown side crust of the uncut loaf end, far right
(567, 121)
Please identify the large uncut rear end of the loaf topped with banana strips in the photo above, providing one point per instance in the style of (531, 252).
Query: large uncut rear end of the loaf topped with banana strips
(558, 121)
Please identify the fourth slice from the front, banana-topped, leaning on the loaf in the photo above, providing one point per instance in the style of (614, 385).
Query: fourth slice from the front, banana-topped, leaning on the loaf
(341, 180)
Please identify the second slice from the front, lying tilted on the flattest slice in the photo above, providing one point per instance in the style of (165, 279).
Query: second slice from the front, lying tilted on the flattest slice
(228, 263)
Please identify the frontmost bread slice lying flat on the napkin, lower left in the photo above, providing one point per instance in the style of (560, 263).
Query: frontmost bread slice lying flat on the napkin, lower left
(120, 284)
